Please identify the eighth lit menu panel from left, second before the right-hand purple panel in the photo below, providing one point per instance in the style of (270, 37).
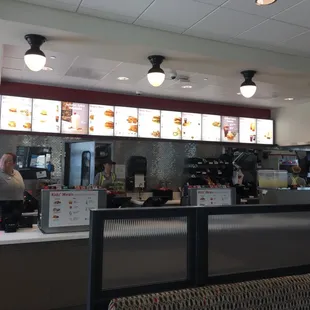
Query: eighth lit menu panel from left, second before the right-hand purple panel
(191, 126)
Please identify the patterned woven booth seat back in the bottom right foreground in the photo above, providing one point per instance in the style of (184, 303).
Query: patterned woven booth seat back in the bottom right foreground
(289, 293)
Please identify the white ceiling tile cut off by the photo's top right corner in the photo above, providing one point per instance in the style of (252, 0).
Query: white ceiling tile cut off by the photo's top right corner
(297, 15)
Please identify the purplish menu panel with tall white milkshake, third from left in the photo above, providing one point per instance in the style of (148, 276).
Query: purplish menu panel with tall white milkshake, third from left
(74, 118)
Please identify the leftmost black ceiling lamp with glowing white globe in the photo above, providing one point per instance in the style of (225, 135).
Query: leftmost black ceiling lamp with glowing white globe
(34, 58)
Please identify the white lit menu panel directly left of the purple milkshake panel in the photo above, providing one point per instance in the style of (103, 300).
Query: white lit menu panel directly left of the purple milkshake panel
(46, 116)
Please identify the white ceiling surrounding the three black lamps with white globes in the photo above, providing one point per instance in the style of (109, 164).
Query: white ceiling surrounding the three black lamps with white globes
(207, 43)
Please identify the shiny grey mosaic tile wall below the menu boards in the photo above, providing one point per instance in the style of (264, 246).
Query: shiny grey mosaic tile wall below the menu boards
(165, 159)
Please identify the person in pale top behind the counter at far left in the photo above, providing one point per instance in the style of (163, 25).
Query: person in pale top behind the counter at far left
(12, 185)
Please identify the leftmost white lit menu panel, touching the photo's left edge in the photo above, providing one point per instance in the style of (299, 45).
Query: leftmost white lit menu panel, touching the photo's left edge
(16, 113)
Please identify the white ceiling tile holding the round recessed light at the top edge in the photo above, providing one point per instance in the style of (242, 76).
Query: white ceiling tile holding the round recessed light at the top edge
(249, 6)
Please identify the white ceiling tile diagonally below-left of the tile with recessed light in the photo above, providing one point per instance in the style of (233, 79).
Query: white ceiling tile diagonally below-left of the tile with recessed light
(225, 22)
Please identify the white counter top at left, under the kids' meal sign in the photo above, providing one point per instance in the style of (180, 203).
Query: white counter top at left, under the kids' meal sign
(34, 235)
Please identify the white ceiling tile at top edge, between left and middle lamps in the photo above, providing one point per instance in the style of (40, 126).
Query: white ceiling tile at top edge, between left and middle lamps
(116, 8)
